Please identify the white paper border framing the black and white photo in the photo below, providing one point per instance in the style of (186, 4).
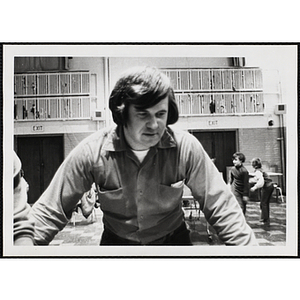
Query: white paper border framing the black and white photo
(149, 50)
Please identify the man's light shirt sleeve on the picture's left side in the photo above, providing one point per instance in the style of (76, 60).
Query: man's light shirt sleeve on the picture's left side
(54, 208)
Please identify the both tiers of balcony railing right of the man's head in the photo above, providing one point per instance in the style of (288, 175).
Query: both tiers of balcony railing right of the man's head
(228, 91)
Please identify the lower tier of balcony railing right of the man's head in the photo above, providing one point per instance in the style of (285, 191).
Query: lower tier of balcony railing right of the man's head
(219, 103)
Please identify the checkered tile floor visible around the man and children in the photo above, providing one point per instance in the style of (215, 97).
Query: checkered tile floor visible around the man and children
(81, 231)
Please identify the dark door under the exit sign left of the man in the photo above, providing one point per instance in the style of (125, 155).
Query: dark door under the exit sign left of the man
(41, 157)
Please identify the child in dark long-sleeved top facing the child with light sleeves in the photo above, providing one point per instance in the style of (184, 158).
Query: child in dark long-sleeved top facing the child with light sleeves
(239, 180)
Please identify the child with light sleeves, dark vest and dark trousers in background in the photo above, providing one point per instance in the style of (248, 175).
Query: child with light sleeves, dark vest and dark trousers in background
(262, 180)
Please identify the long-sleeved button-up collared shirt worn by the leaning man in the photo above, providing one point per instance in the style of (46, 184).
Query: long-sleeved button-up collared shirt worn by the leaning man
(141, 201)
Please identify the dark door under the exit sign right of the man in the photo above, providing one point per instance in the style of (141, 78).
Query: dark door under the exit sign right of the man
(219, 145)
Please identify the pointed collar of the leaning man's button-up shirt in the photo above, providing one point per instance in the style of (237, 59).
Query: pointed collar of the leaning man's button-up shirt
(115, 140)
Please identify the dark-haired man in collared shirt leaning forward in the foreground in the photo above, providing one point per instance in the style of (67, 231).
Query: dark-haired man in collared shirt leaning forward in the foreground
(140, 168)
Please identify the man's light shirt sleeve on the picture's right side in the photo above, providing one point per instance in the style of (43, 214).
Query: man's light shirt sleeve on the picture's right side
(217, 202)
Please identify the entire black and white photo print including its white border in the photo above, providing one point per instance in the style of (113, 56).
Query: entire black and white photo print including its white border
(147, 150)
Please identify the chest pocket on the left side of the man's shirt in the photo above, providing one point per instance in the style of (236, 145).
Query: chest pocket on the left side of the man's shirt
(112, 201)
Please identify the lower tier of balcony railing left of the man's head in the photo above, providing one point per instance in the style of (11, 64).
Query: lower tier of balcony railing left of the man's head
(52, 108)
